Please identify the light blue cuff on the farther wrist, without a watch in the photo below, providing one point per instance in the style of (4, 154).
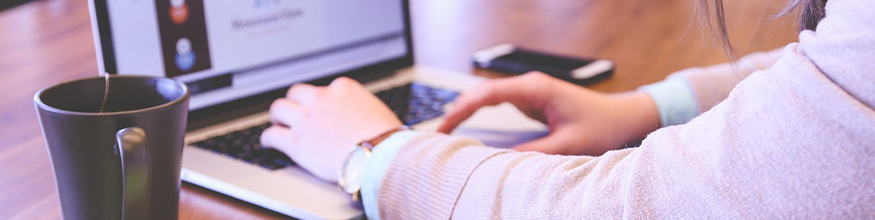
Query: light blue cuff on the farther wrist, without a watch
(675, 101)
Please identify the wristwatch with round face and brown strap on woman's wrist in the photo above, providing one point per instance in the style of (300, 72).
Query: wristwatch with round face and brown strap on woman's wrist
(353, 167)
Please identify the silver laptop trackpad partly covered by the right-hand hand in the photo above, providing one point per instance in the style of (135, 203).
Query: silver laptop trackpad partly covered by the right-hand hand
(502, 126)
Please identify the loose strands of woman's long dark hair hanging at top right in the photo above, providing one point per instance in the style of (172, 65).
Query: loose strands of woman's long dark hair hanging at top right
(809, 13)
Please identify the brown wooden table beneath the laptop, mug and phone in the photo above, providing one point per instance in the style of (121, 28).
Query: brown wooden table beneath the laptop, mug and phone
(47, 42)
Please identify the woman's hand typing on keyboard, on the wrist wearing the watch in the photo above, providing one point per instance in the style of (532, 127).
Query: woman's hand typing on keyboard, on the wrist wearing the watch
(316, 126)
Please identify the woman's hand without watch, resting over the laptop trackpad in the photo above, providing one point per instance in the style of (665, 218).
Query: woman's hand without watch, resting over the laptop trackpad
(581, 121)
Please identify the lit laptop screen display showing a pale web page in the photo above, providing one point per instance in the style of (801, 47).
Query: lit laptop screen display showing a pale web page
(226, 50)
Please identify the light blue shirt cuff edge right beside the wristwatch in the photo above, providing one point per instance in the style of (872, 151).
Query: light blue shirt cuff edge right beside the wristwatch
(376, 167)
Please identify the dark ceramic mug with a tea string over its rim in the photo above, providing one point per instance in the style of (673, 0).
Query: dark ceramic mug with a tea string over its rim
(123, 163)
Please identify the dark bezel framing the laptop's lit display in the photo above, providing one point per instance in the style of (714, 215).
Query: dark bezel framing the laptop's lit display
(212, 114)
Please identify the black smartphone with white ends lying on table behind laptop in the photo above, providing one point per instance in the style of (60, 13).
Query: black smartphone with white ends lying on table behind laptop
(512, 59)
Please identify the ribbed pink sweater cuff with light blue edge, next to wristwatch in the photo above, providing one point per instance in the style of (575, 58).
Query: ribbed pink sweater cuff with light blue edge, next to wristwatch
(424, 176)
